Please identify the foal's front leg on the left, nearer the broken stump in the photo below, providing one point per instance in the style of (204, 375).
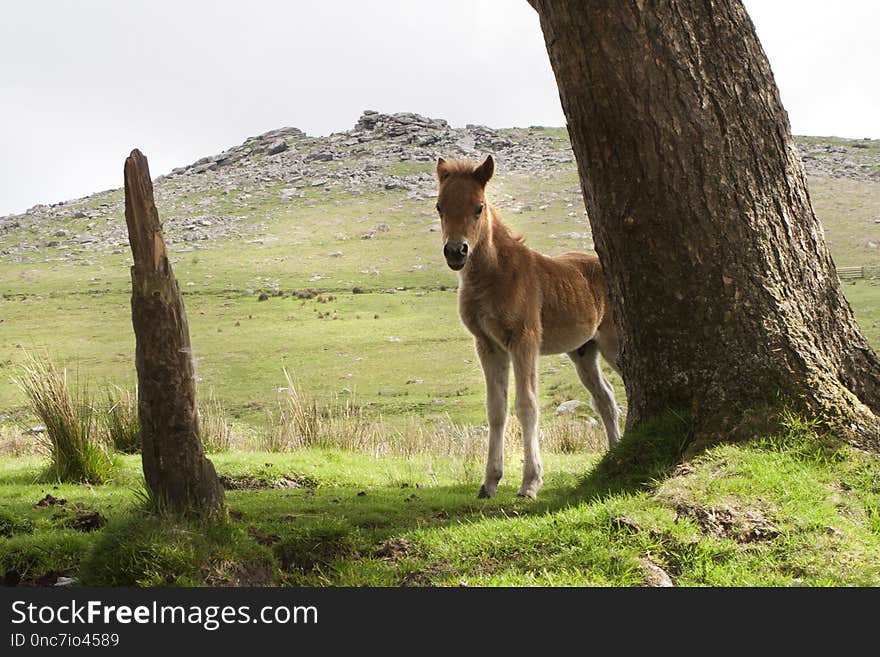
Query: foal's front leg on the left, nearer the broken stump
(496, 368)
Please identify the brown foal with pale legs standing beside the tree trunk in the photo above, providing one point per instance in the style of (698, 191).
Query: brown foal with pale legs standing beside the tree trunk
(520, 304)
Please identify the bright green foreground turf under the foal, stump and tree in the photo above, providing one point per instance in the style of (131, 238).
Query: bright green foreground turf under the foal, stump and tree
(786, 511)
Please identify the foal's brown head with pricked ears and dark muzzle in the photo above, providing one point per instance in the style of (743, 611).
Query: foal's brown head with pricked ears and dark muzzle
(461, 202)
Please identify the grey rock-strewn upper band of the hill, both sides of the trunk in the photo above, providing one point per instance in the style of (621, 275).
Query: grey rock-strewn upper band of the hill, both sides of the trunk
(213, 197)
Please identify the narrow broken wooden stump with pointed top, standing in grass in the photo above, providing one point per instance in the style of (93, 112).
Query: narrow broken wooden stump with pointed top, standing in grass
(174, 462)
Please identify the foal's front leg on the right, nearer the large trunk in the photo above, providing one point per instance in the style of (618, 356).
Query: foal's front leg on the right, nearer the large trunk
(525, 370)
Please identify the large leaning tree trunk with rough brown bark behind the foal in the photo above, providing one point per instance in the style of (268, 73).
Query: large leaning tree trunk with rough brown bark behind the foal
(723, 288)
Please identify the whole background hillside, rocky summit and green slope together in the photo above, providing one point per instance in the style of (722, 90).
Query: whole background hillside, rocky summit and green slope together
(338, 237)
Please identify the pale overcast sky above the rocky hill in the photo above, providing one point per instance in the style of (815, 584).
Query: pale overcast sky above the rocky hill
(82, 82)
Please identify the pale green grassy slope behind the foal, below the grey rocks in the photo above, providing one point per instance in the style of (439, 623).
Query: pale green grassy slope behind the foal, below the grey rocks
(397, 345)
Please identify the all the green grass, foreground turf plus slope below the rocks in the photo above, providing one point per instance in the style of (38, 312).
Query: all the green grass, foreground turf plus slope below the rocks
(373, 323)
